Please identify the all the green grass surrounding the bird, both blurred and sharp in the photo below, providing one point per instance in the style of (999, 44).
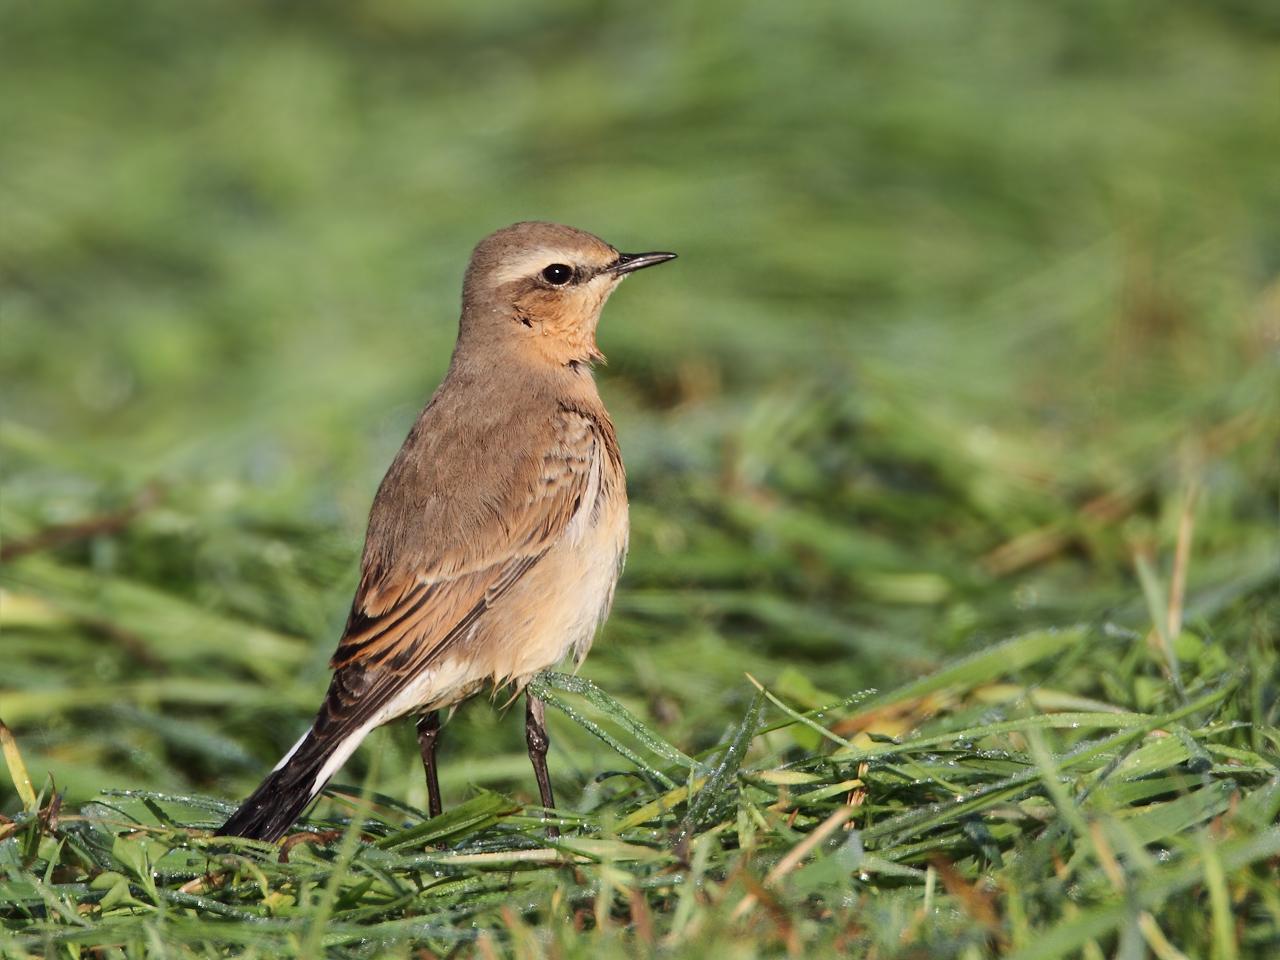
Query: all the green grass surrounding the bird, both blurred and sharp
(950, 627)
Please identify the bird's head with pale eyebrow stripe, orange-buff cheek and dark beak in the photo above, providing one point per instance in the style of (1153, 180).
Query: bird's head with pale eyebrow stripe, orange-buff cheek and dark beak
(542, 286)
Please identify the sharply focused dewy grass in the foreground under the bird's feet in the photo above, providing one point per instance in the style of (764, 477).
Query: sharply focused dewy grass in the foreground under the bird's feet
(1016, 817)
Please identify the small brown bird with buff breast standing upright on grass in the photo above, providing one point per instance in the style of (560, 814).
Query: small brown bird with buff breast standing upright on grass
(499, 533)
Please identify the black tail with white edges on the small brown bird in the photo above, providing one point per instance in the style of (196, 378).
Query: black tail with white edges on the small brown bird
(281, 799)
